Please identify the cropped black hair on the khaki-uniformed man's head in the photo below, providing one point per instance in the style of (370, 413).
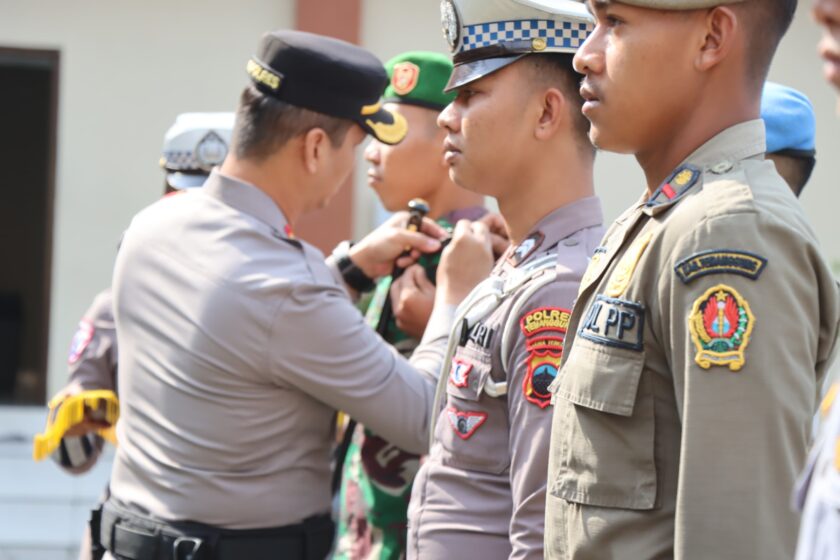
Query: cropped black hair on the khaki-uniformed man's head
(766, 22)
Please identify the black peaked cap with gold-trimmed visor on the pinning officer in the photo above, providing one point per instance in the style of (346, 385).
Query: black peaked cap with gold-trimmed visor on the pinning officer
(326, 75)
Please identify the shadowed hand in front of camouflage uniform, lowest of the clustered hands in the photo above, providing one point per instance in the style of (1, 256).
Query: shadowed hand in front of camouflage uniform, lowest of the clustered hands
(412, 299)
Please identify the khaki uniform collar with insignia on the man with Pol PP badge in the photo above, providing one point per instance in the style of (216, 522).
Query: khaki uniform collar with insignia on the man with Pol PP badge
(738, 142)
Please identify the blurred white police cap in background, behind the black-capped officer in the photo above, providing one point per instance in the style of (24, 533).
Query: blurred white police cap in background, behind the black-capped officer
(195, 144)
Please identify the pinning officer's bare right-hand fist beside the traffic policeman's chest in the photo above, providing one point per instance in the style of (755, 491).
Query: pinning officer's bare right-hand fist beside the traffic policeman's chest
(465, 262)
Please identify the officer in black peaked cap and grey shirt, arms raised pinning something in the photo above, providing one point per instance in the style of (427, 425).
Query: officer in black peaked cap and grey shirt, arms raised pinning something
(238, 342)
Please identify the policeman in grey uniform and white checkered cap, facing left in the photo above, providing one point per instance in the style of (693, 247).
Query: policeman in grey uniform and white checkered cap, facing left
(513, 132)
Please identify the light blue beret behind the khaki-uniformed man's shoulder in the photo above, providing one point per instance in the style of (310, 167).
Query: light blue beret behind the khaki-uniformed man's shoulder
(789, 119)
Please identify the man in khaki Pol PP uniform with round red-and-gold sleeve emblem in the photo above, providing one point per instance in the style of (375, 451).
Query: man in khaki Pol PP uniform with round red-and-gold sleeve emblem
(707, 317)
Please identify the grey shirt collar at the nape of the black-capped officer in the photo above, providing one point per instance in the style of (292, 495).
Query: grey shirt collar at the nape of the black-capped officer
(247, 198)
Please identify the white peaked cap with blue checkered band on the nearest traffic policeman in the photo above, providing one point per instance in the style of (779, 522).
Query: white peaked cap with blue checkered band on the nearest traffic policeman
(487, 35)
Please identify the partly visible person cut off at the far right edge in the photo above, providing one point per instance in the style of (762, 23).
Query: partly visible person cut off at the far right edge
(817, 493)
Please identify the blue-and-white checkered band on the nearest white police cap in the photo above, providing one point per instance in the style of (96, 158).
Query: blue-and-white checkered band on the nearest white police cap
(557, 34)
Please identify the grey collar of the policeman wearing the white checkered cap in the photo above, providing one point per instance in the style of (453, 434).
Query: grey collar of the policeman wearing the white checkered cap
(556, 226)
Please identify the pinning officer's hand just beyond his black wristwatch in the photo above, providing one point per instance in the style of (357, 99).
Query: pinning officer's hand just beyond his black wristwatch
(380, 249)
